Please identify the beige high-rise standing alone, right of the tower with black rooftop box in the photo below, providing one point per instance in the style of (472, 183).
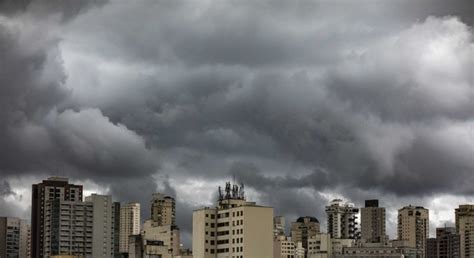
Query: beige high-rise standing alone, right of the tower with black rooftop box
(413, 227)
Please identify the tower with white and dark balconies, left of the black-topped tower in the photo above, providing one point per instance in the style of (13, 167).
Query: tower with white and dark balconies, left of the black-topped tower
(342, 218)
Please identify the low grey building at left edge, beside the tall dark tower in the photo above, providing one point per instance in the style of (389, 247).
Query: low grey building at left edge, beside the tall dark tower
(14, 240)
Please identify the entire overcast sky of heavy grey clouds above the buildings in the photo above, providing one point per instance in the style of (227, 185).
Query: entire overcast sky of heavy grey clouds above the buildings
(302, 101)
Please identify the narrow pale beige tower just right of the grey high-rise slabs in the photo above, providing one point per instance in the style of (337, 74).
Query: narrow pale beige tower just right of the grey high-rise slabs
(129, 224)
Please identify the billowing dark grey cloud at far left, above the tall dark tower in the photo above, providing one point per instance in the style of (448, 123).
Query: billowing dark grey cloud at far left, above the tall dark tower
(40, 135)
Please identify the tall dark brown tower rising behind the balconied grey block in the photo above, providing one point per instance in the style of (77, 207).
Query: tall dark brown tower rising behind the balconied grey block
(47, 198)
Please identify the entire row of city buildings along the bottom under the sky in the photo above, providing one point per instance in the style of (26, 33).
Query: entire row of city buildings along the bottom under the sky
(234, 225)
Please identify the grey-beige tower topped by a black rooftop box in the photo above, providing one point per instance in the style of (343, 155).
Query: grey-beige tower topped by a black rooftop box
(373, 222)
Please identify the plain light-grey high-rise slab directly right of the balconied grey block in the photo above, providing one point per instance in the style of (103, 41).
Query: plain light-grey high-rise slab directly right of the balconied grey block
(103, 225)
